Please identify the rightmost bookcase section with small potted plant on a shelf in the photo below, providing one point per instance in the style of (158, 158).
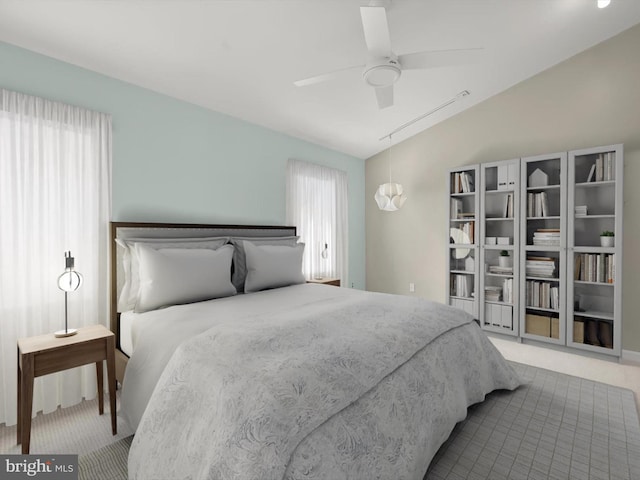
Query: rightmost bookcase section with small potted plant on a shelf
(594, 294)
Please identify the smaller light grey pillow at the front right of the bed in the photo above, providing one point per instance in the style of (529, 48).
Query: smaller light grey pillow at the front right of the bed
(272, 266)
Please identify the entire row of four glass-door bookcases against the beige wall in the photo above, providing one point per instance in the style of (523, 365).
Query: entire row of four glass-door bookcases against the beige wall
(560, 285)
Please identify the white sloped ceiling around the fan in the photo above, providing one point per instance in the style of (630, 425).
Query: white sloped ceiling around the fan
(241, 57)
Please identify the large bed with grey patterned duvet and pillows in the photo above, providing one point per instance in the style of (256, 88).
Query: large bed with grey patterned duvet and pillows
(295, 381)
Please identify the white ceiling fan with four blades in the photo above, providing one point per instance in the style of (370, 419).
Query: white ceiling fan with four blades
(384, 67)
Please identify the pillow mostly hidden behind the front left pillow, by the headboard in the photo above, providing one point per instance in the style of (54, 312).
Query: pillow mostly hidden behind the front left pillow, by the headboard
(129, 292)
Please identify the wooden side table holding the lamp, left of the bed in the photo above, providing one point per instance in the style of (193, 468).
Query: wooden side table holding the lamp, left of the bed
(47, 354)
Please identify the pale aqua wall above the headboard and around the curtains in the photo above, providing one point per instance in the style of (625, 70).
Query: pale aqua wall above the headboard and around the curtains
(177, 162)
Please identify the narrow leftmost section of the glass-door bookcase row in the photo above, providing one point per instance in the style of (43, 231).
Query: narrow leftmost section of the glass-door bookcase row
(462, 255)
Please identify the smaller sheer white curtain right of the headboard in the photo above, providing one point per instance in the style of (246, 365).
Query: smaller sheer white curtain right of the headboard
(317, 206)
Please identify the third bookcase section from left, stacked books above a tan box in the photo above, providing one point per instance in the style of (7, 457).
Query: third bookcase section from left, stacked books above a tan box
(543, 259)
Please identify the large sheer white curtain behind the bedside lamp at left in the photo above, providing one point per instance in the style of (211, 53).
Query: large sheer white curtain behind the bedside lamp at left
(55, 187)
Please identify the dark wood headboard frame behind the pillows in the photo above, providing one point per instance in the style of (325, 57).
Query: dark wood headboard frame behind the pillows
(168, 230)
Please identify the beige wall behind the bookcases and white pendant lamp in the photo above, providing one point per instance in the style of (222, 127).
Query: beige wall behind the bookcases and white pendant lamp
(591, 99)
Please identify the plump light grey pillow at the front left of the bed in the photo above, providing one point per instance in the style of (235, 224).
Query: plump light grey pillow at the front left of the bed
(172, 276)
